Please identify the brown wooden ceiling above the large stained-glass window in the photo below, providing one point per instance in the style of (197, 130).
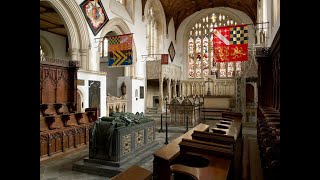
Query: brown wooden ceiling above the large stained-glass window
(181, 9)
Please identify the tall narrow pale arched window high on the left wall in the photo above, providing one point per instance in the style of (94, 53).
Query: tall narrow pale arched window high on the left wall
(152, 32)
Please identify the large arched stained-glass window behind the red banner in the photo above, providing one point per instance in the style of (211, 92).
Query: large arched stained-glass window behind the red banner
(200, 49)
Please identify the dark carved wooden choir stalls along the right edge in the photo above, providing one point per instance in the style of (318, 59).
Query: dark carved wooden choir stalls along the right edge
(268, 122)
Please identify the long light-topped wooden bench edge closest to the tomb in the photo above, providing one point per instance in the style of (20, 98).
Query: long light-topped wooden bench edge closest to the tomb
(166, 156)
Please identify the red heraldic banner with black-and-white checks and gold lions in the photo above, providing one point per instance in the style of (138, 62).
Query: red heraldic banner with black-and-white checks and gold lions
(230, 43)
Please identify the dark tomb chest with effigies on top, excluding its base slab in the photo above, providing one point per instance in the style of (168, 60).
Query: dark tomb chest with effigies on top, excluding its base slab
(119, 136)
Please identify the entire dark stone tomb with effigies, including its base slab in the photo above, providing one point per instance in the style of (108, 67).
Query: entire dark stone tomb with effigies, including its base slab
(117, 142)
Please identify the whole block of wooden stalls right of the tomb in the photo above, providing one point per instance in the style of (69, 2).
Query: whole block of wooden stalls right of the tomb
(203, 153)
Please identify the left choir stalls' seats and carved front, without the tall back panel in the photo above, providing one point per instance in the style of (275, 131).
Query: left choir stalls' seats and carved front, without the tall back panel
(62, 130)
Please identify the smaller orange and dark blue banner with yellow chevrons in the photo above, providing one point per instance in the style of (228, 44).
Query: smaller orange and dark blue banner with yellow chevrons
(120, 50)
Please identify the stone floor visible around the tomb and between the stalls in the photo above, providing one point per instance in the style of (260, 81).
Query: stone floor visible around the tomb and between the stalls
(61, 169)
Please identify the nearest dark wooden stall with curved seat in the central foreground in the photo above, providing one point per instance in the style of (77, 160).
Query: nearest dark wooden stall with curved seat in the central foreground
(219, 160)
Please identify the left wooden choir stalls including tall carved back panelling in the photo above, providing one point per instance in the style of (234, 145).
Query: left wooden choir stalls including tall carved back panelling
(62, 128)
